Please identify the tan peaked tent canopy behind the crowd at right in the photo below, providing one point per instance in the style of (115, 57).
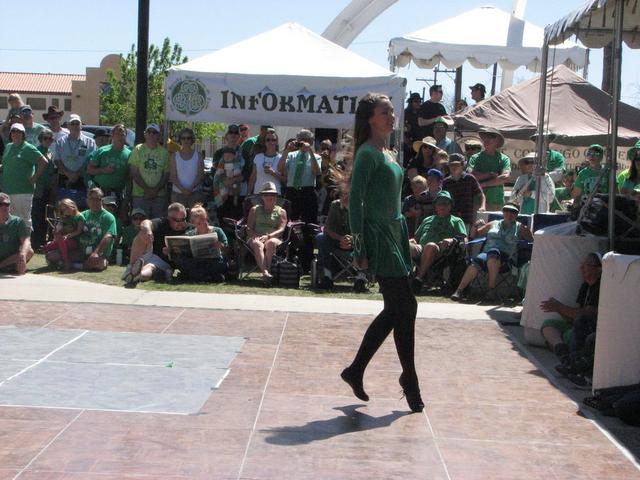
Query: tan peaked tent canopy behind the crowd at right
(579, 113)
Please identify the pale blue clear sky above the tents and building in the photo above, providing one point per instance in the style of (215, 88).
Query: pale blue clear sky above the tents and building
(68, 36)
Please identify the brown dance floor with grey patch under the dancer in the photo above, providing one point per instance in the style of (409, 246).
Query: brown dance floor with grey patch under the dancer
(105, 392)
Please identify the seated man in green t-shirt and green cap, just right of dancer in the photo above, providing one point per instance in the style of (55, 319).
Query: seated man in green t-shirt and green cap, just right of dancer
(437, 237)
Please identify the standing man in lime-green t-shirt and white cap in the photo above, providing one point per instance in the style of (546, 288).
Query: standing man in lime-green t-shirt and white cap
(149, 171)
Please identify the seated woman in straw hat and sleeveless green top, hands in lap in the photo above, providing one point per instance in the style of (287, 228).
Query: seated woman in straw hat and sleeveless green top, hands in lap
(265, 226)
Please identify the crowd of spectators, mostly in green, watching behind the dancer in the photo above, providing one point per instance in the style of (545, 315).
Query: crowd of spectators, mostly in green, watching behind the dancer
(114, 203)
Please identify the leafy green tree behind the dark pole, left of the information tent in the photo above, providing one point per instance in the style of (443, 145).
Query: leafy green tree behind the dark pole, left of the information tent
(118, 96)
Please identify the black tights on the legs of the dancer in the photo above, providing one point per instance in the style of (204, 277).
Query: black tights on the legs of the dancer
(399, 315)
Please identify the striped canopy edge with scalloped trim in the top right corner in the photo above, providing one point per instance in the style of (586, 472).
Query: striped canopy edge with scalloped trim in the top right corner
(593, 24)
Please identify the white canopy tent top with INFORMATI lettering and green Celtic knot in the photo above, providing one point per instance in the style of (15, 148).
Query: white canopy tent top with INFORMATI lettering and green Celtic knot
(288, 76)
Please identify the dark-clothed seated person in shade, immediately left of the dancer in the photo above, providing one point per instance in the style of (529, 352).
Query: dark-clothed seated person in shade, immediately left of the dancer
(336, 240)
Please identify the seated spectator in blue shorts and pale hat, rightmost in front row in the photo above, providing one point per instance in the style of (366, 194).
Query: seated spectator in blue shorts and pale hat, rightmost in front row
(499, 250)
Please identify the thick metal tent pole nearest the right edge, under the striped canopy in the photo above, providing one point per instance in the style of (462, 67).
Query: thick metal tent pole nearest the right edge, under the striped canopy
(615, 98)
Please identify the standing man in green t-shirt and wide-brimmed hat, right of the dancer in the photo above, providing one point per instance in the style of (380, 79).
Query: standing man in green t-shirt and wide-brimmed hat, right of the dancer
(491, 167)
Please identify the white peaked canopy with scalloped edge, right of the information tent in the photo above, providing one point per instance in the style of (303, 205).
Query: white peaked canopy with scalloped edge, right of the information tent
(482, 36)
